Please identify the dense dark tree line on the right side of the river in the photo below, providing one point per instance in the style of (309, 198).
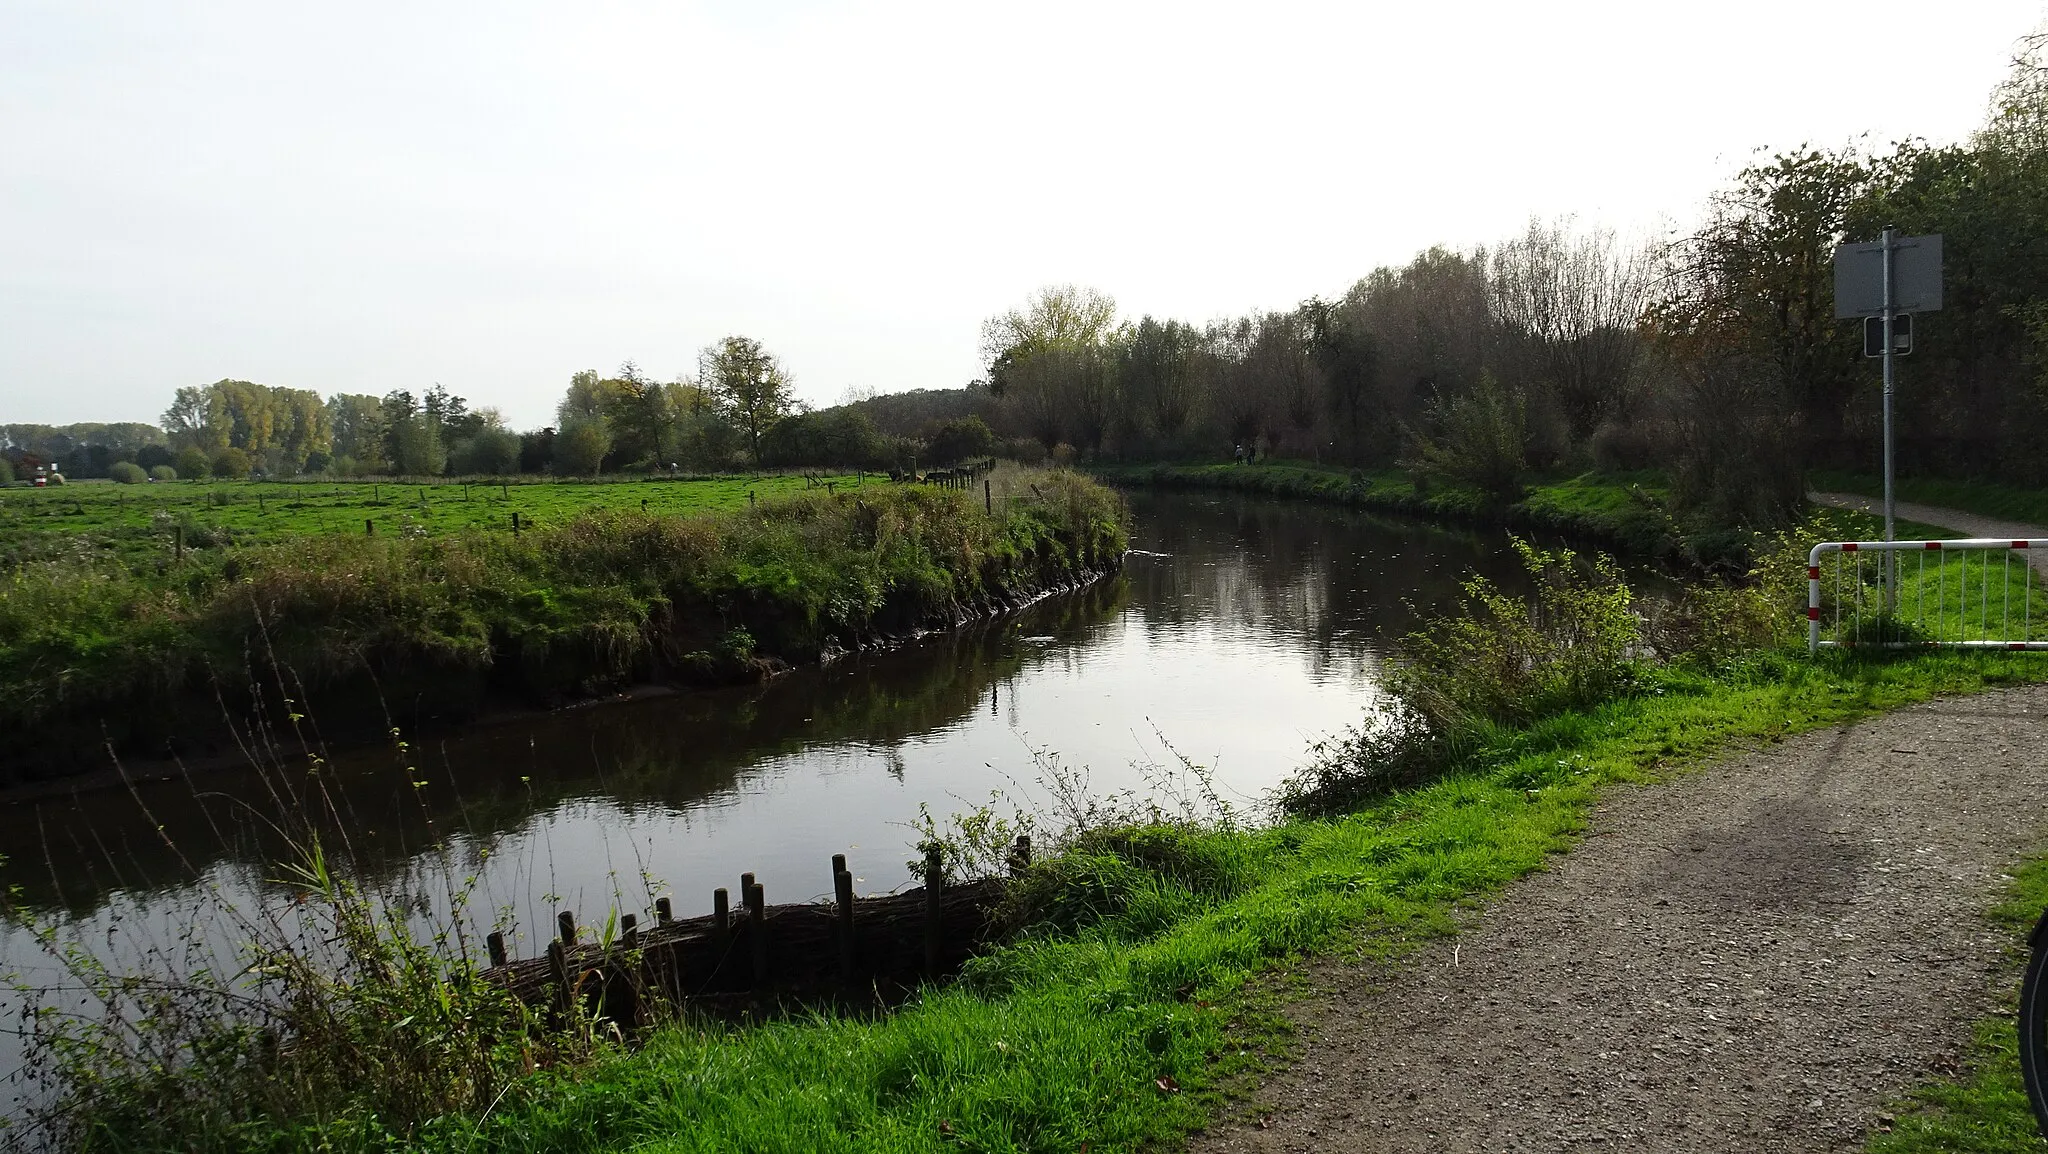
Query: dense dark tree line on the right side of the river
(1713, 356)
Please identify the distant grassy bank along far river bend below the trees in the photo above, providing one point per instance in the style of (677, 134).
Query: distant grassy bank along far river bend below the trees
(1621, 511)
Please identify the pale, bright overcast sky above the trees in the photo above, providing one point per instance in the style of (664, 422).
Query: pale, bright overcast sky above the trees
(376, 196)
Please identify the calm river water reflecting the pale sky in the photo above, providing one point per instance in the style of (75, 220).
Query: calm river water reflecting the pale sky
(1240, 632)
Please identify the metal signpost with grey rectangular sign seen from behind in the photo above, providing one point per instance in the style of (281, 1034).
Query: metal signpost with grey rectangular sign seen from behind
(1887, 282)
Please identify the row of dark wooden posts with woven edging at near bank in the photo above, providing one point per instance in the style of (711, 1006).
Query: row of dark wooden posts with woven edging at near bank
(849, 948)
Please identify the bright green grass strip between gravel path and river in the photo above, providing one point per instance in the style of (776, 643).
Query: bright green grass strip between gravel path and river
(1129, 1030)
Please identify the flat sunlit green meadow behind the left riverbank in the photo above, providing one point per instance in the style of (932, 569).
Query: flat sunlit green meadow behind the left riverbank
(136, 522)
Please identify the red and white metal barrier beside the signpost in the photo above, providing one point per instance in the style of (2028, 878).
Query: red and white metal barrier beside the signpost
(1926, 593)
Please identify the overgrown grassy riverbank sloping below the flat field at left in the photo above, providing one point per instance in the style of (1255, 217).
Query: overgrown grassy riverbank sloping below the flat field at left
(95, 647)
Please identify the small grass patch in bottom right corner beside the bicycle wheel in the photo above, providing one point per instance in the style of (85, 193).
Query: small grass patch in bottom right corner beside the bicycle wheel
(1986, 1110)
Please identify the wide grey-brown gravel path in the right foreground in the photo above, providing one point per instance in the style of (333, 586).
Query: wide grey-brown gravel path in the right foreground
(1754, 956)
